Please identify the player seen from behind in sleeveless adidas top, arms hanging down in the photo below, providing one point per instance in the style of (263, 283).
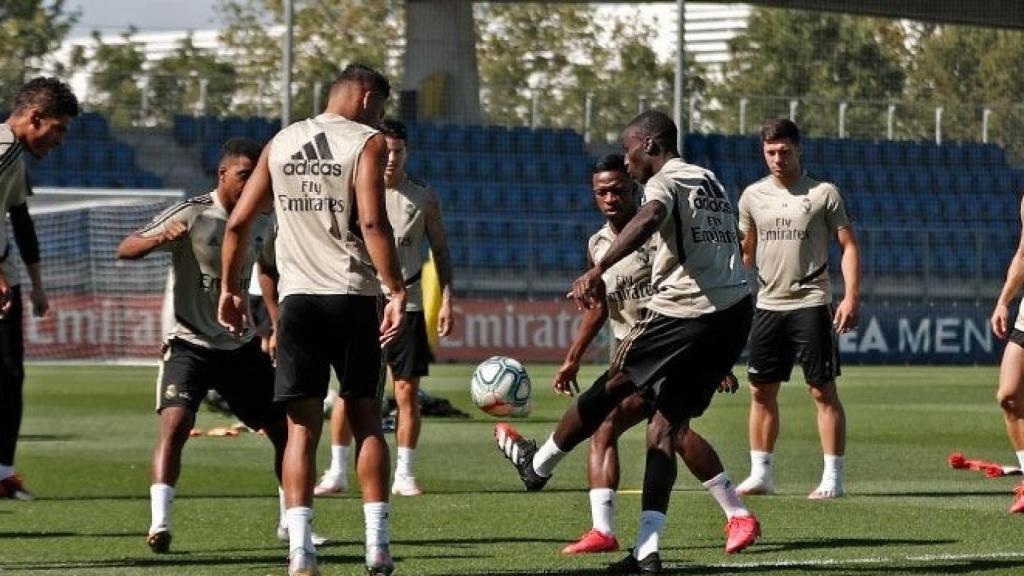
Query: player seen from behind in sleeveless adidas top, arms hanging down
(325, 179)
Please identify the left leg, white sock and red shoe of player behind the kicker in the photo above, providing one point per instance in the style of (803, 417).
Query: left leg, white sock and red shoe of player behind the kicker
(604, 474)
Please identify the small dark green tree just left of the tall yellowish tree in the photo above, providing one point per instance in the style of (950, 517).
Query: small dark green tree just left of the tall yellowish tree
(176, 84)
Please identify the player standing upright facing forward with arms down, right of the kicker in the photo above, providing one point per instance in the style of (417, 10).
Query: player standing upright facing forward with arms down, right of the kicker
(788, 221)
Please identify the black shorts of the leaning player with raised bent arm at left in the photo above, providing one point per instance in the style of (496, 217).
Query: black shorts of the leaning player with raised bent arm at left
(244, 378)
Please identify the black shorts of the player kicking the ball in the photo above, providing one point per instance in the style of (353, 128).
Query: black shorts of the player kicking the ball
(681, 361)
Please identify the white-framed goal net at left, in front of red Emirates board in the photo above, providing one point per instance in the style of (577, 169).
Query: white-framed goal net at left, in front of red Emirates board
(102, 309)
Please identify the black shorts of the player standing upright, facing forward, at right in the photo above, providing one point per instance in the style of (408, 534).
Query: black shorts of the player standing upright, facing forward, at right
(781, 339)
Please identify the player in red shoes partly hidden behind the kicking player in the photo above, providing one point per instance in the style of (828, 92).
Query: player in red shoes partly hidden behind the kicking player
(624, 293)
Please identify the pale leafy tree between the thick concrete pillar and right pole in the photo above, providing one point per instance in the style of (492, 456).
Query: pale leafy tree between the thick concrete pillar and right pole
(564, 55)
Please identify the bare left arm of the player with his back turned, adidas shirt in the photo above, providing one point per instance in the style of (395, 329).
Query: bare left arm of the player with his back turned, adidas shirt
(233, 310)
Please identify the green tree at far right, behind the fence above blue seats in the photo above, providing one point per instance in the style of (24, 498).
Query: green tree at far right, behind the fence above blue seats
(965, 70)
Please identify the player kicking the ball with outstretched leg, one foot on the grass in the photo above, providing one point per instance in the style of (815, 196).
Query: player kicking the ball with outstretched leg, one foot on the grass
(692, 336)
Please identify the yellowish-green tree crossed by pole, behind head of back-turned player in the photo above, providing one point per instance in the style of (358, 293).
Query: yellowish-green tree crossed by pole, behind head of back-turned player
(328, 36)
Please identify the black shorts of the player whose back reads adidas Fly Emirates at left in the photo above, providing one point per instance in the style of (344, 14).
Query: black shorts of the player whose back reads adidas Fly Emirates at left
(319, 333)
